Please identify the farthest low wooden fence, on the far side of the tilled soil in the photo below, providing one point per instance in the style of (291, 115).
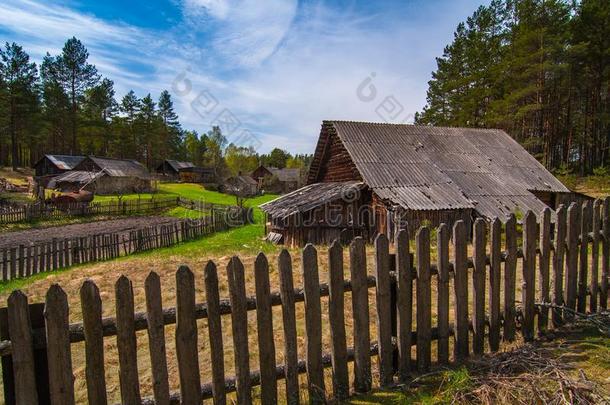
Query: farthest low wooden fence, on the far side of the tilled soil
(38, 211)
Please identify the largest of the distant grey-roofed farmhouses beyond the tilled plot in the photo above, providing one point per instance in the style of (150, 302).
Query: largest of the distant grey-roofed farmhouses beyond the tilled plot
(105, 176)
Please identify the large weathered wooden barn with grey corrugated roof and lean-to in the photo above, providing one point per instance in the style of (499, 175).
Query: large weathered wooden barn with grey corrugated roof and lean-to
(370, 178)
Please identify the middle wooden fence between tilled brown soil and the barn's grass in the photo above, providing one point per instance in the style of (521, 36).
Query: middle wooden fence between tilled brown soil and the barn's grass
(26, 260)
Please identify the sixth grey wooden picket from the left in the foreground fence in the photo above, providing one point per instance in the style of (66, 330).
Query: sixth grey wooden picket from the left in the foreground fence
(186, 337)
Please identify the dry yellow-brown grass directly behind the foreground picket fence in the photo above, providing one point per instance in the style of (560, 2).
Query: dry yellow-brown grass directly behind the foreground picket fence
(137, 269)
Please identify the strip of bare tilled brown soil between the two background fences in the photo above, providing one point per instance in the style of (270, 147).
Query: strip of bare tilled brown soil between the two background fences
(124, 225)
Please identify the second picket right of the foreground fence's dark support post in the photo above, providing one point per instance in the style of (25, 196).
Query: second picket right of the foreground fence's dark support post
(424, 303)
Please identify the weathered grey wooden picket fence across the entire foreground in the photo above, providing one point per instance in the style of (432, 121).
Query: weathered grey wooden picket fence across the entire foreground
(560, 267)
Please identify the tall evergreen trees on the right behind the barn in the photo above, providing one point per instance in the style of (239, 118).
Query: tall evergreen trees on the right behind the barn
(539, 69)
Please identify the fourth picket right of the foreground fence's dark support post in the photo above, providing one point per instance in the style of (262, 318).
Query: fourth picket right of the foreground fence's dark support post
(461, 290)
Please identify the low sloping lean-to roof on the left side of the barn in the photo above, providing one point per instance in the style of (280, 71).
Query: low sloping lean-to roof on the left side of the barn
(310, 197)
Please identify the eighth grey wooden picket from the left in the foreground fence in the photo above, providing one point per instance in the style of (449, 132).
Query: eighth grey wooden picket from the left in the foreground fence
(239, 321)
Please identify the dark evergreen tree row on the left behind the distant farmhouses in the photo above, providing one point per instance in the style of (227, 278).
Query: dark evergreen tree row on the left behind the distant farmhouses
(66, 107)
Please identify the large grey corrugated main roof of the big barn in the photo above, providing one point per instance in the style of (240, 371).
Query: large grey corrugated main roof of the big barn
(433, 168)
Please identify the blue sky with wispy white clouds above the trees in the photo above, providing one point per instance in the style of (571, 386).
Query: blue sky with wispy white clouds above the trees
(267, 71)
